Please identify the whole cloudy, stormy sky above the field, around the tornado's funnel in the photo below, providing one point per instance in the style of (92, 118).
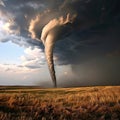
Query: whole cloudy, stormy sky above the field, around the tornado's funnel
(86, 50)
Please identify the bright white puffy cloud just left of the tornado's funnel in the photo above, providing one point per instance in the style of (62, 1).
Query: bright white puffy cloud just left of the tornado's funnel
(33, 58)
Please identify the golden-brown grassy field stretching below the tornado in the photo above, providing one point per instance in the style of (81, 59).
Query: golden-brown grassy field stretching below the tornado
(85, 103)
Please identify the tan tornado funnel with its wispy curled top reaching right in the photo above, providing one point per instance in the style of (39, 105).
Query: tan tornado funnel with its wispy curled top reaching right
(50, 33)
